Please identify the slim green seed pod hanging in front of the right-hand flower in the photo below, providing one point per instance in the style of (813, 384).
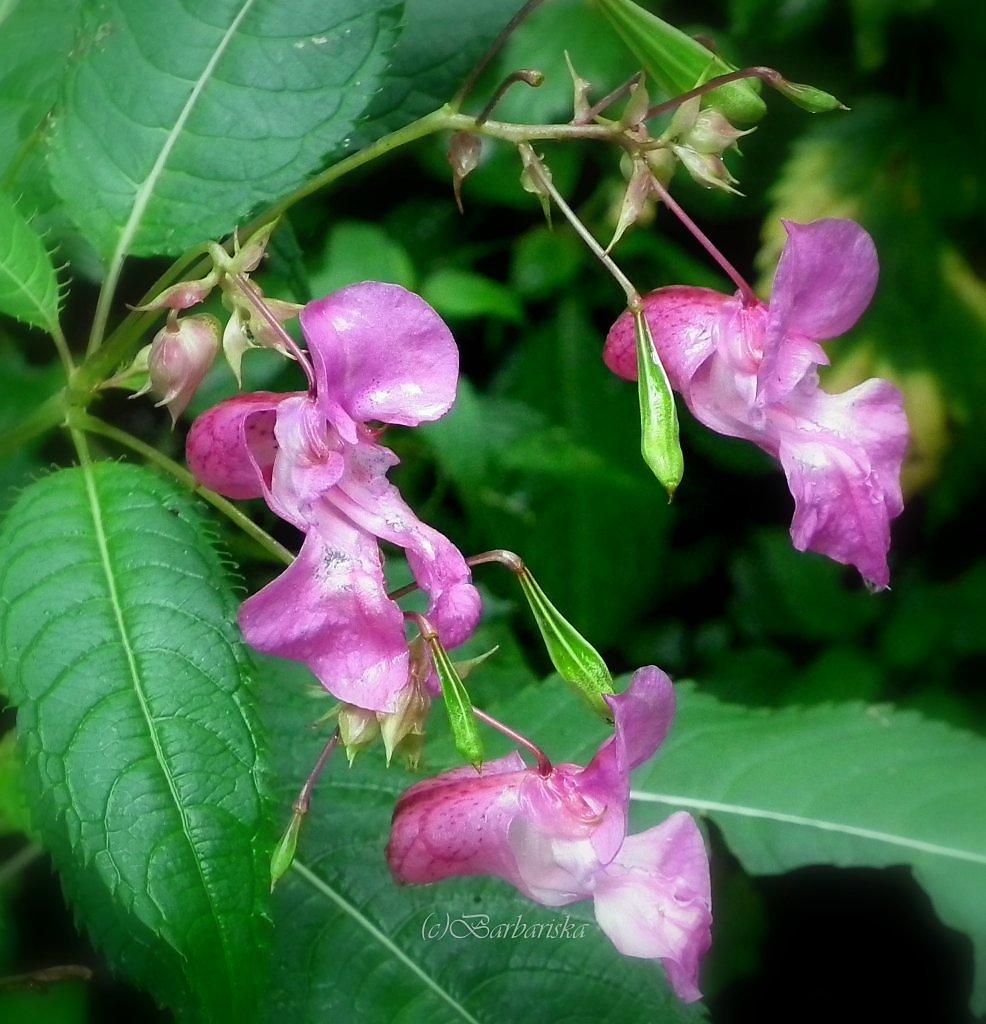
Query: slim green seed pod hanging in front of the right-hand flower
(659, 416)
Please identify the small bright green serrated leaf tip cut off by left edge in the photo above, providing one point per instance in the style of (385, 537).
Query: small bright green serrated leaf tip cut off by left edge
(29, 288)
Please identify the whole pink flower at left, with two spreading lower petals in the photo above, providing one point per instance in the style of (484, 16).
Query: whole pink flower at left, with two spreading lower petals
(379, 354)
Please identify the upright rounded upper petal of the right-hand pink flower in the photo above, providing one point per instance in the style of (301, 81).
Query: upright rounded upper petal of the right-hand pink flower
(825, 282)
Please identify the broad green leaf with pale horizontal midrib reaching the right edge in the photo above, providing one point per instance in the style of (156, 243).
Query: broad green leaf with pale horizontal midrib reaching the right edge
(849, 785)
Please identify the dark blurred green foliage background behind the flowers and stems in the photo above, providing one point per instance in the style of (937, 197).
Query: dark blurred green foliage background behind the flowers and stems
(541, 454)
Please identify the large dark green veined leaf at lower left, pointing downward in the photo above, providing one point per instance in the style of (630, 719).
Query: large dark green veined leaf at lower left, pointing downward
(135, 713)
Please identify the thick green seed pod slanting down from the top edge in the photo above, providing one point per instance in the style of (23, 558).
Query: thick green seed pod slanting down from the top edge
(678, 63)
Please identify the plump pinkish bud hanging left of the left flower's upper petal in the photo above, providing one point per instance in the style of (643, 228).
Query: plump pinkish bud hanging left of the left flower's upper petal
(180, 359)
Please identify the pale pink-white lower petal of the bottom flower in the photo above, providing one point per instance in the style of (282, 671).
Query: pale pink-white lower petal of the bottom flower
(655, 901)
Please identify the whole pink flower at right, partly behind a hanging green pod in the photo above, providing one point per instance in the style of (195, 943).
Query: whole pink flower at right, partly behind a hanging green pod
(749, 370)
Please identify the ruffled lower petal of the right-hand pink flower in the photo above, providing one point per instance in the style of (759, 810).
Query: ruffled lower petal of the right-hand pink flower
(842, 455)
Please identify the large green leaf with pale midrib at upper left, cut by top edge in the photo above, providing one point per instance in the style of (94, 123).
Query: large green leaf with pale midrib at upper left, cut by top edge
(183, 118)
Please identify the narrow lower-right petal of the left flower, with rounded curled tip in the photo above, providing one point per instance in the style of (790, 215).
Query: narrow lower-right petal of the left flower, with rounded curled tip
(370, 500)
